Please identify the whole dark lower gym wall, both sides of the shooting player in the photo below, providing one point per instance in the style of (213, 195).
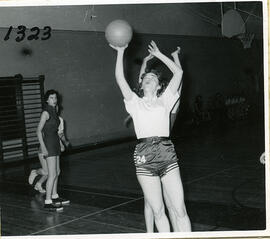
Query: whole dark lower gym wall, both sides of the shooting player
(80, 65)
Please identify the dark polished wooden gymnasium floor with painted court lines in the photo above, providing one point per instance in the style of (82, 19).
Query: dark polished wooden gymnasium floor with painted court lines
(223, 181)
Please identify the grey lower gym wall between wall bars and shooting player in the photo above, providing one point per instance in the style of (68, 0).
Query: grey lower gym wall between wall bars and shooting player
(80, 66)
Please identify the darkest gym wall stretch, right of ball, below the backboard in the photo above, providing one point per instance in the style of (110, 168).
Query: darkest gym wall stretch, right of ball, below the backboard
(211, 65)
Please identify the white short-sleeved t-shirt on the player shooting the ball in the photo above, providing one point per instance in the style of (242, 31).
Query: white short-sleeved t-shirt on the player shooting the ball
(151, 119)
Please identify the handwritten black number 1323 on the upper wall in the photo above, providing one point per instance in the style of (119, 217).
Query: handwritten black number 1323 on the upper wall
(35, 32)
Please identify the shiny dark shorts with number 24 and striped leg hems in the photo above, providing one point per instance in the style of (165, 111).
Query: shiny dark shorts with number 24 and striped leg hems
(155, 156)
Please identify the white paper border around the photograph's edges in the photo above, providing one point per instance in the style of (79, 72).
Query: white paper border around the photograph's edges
(221, 234)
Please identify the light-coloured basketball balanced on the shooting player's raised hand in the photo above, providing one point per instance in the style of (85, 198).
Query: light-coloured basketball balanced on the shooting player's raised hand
(118, 33)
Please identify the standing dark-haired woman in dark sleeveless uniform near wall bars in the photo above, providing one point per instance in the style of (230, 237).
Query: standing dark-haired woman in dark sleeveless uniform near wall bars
(47, 133)
